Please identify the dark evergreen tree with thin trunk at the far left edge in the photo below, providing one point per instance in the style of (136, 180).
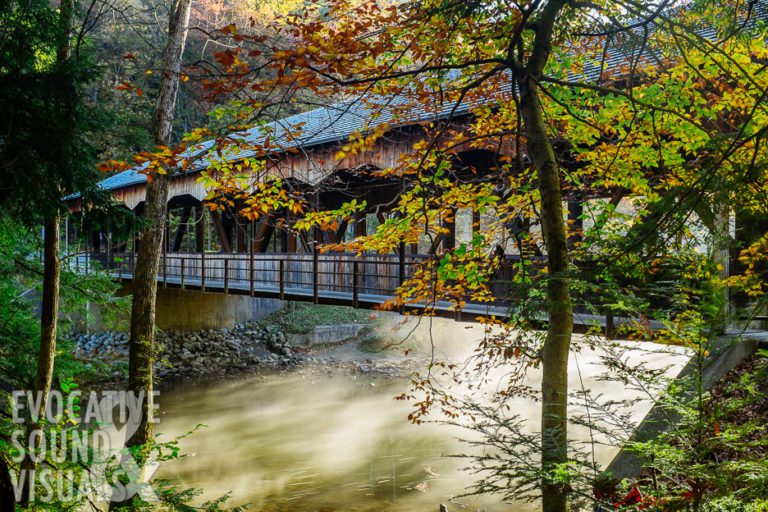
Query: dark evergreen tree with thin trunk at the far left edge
(44, 150)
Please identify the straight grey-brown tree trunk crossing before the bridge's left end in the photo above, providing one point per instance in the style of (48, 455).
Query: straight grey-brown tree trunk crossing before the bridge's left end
(140, 373)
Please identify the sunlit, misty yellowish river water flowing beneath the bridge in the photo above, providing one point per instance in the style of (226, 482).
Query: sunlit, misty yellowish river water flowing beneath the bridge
(297, 442)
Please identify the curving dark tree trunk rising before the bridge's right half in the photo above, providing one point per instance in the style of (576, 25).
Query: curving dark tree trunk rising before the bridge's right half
(554, 353)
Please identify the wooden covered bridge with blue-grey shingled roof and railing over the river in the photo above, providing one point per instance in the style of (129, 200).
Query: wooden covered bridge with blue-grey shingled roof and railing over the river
(222, 251)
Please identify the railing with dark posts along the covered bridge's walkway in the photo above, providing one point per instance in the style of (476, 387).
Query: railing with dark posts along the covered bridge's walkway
(348, 277)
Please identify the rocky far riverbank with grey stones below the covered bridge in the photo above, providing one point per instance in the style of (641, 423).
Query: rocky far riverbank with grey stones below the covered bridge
(246, 348)
